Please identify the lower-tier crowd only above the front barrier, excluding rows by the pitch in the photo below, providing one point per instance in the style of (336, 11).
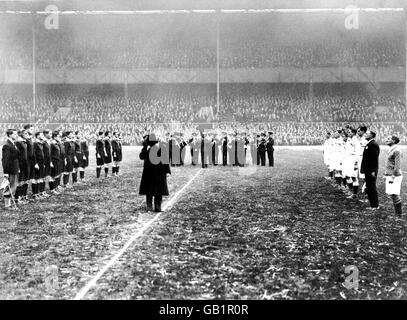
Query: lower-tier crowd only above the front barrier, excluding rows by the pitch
(238, 103)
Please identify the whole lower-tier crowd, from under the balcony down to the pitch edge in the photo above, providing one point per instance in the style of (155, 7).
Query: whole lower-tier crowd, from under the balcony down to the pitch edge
(298, 114)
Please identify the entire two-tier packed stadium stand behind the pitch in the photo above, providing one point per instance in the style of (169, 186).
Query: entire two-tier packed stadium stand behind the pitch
(296, 102)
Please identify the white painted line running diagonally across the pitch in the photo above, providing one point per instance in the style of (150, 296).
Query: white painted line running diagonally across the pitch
(112, 261)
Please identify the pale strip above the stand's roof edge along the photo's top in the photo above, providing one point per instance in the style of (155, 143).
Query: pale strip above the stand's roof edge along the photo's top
(195, 4)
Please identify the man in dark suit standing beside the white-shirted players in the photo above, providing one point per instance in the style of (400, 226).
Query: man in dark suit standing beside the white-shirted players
(370, 167)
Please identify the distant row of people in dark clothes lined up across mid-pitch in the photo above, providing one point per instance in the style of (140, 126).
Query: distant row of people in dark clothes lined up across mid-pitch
(208, 146)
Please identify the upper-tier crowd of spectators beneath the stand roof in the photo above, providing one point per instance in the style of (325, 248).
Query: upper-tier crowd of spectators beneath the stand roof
(191, 52)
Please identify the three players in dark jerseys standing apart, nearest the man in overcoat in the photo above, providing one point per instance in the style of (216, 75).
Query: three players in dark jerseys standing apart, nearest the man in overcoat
(108, 150)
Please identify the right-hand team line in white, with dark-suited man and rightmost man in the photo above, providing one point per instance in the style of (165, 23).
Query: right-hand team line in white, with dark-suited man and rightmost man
(353, 154)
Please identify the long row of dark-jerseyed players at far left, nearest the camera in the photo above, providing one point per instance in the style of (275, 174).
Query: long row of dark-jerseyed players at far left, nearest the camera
(42, 158)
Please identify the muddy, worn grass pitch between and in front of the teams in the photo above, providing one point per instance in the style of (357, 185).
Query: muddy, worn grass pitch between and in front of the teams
(259, 233)
